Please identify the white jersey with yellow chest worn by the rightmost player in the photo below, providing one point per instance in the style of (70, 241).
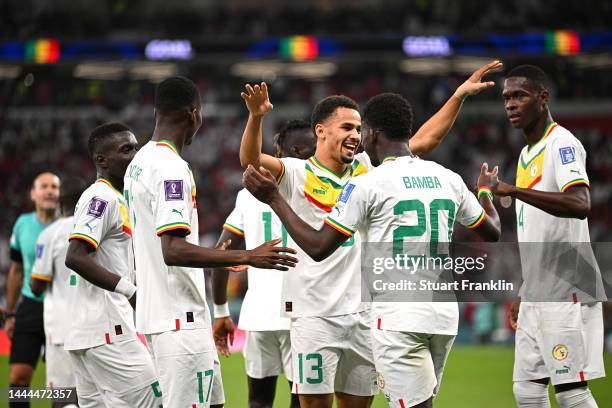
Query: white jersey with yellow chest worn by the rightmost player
(556, 163)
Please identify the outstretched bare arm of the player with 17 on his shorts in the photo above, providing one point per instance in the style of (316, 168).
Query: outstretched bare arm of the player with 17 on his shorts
(178, 252)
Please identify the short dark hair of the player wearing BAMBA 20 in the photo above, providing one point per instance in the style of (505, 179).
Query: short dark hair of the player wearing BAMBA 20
(390, 113)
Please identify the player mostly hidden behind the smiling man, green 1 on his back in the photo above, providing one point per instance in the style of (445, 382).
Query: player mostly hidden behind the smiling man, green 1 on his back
(267, 350)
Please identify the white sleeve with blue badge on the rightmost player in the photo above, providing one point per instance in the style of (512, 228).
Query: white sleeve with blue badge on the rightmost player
(569, 162)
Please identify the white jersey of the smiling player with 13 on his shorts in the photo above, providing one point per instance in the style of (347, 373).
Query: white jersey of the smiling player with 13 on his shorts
(331, 287)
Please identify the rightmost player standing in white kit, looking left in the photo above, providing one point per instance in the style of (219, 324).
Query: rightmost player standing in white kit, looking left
(559, 336)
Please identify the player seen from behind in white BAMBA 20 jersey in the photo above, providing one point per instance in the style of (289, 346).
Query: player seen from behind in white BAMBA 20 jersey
(410, 340)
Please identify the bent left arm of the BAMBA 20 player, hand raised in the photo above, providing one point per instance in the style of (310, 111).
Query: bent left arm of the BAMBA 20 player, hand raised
(318, 244)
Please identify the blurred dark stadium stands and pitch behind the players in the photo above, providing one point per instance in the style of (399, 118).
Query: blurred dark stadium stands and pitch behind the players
(68, 66)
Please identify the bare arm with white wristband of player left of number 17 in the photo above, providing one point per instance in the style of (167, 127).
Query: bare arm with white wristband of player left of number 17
(79, 259)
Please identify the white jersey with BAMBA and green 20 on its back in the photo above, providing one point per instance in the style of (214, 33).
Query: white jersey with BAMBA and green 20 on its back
(421, 198)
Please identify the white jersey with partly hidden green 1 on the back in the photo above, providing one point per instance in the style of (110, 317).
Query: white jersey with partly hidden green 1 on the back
(257, 223)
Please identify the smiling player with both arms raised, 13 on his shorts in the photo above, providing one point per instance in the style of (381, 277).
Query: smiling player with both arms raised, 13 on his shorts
(330, 327)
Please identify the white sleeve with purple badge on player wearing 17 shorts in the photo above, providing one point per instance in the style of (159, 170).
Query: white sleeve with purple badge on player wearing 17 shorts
(174, 201)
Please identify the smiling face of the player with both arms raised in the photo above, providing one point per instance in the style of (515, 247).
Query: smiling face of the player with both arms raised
(340, 134)
